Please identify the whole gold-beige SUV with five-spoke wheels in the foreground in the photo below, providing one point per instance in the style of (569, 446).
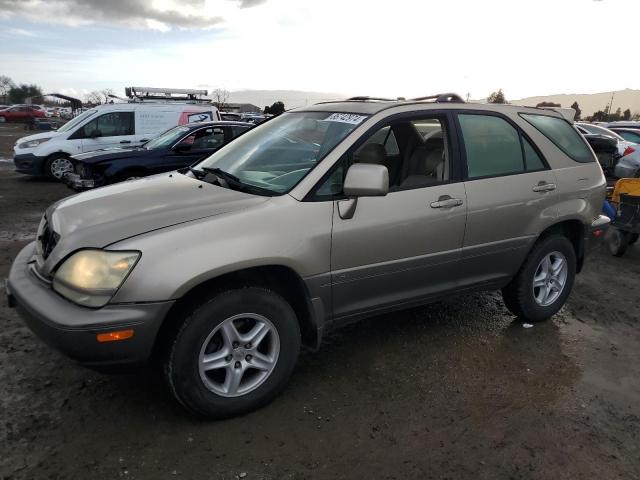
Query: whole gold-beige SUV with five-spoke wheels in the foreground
(318, 217)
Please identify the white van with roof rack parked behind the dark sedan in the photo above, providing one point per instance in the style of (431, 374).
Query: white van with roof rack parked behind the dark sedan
(106, 126)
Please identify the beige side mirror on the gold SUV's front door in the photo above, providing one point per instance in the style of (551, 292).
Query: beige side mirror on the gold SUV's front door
(362, 180)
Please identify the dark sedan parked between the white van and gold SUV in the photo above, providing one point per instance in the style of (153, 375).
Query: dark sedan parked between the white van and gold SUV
(176, 148)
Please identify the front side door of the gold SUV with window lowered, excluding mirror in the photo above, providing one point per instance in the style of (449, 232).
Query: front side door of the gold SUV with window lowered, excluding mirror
(404, 247)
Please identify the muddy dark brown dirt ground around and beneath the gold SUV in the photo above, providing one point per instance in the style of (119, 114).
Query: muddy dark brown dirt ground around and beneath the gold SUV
(458, 389)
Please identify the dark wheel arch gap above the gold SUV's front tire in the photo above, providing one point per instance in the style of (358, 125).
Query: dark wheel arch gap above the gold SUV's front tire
(278, 278)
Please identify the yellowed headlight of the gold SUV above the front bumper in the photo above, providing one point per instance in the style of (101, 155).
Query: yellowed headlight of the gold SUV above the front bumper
(92, 277)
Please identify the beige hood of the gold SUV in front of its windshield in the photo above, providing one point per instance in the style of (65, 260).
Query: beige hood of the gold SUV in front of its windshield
(100, 217)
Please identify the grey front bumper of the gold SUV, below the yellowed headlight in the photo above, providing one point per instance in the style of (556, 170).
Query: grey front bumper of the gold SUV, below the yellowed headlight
(72, 329)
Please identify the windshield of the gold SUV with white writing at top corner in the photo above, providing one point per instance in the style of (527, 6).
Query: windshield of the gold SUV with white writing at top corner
(276, 155)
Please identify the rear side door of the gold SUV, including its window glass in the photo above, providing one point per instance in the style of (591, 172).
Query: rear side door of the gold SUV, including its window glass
(510, 191)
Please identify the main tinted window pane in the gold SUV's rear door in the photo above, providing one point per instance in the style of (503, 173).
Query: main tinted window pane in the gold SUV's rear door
(492, 146)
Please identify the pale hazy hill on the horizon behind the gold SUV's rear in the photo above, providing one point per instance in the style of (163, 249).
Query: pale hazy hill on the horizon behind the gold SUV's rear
(590, 103)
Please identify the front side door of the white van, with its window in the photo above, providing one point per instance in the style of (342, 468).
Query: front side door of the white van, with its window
(109, 130)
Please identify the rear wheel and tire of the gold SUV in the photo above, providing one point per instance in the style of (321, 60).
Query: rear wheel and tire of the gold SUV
(532, 303)
